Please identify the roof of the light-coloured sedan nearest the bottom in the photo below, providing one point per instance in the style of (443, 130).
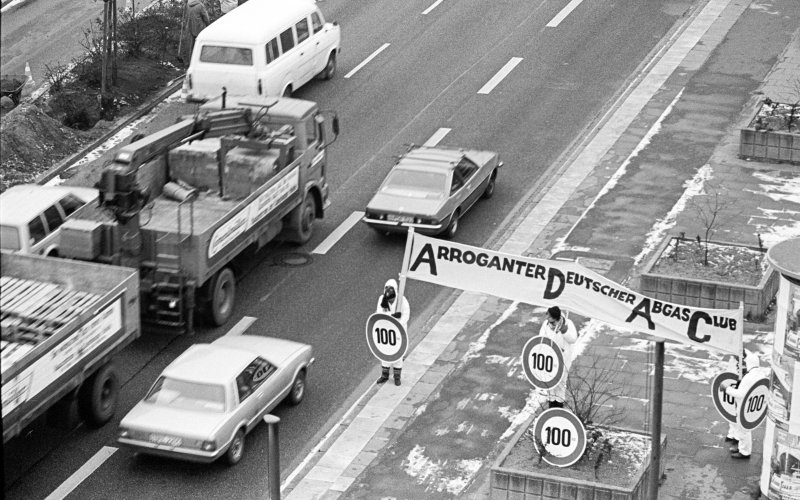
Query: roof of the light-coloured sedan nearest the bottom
(210, 364)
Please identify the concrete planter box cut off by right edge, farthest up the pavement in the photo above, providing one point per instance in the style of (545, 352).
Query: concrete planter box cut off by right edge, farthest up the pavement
(766, 138)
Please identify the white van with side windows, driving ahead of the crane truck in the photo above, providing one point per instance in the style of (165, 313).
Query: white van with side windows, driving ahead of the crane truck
(262, 47)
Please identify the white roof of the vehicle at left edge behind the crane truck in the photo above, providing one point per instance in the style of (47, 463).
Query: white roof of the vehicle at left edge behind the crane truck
(19, 204)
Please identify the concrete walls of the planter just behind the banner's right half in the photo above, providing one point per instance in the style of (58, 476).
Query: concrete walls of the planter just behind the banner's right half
(706, 293)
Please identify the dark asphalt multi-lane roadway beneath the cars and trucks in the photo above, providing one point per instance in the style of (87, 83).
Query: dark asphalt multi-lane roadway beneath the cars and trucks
(428, 78)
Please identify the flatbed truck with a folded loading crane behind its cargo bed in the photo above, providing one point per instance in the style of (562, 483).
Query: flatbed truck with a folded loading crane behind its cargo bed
(183, 204)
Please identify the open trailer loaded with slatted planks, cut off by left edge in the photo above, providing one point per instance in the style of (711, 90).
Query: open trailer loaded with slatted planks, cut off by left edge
(61, 323)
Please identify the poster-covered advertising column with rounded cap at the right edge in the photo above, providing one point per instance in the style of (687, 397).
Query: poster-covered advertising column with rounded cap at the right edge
(780, 469)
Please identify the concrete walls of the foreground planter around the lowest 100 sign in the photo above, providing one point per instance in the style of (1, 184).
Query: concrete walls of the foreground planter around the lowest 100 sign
(514, 484)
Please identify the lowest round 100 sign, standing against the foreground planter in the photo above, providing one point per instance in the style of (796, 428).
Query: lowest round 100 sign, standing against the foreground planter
(561, 434)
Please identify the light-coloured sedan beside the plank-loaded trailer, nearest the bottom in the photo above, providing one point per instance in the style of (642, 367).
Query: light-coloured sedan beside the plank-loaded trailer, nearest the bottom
(205, 402)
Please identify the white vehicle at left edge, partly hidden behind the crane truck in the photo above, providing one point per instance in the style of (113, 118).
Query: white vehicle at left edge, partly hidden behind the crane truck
(31, 215)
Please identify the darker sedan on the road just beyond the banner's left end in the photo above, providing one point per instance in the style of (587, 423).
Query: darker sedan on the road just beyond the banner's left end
(431, 188)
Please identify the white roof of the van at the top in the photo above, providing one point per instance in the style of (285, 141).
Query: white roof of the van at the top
(255, 22)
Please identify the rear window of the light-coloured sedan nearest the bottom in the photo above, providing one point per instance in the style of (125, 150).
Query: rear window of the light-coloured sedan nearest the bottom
(187, 395)
